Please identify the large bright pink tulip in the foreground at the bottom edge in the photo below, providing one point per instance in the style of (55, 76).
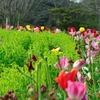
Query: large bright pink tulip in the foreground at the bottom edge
(76, 90)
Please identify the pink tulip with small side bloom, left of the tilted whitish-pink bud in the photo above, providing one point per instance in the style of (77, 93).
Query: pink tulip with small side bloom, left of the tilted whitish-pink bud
(64, 63)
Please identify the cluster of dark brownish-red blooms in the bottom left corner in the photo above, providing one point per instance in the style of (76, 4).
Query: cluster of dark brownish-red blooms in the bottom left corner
(9, 96)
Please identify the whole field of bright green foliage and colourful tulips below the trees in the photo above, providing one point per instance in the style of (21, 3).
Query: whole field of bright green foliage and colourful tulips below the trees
(38, 63)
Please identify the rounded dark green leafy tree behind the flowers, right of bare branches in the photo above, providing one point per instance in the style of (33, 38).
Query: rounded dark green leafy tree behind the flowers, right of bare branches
(74, 16)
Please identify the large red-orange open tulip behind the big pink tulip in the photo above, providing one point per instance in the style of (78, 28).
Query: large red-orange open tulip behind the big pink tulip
(64, 77)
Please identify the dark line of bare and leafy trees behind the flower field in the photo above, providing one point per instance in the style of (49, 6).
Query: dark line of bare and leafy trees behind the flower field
(51, 13)
